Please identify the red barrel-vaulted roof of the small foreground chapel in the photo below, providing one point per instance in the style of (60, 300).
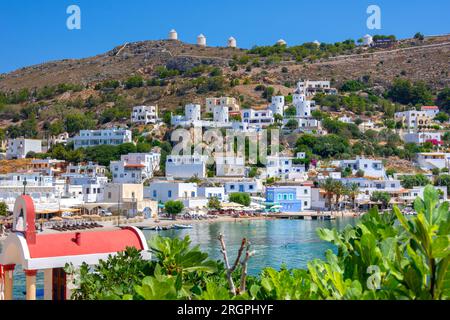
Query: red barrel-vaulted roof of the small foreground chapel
(95, 242)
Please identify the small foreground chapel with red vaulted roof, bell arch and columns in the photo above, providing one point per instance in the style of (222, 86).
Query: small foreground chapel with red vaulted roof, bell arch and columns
(50, 252)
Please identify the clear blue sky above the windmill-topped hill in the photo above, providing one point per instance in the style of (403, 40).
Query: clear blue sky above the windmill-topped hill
(33, 32)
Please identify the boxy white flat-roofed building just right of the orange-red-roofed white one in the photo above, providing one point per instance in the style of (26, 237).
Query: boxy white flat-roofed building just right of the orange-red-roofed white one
(186, 167)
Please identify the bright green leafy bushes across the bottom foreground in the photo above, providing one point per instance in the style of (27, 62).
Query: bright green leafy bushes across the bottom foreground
(385, 256)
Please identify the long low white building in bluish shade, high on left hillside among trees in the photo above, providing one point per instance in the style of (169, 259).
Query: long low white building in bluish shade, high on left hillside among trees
(92, 138)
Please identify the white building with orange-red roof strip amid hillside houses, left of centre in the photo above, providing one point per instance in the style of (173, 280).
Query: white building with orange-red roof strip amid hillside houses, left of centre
(135, 167)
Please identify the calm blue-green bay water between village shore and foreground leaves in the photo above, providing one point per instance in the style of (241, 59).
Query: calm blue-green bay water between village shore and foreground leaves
(276, 242)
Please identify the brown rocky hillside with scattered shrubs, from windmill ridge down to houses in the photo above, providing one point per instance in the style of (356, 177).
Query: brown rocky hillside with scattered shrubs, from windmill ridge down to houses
(175, 73)
